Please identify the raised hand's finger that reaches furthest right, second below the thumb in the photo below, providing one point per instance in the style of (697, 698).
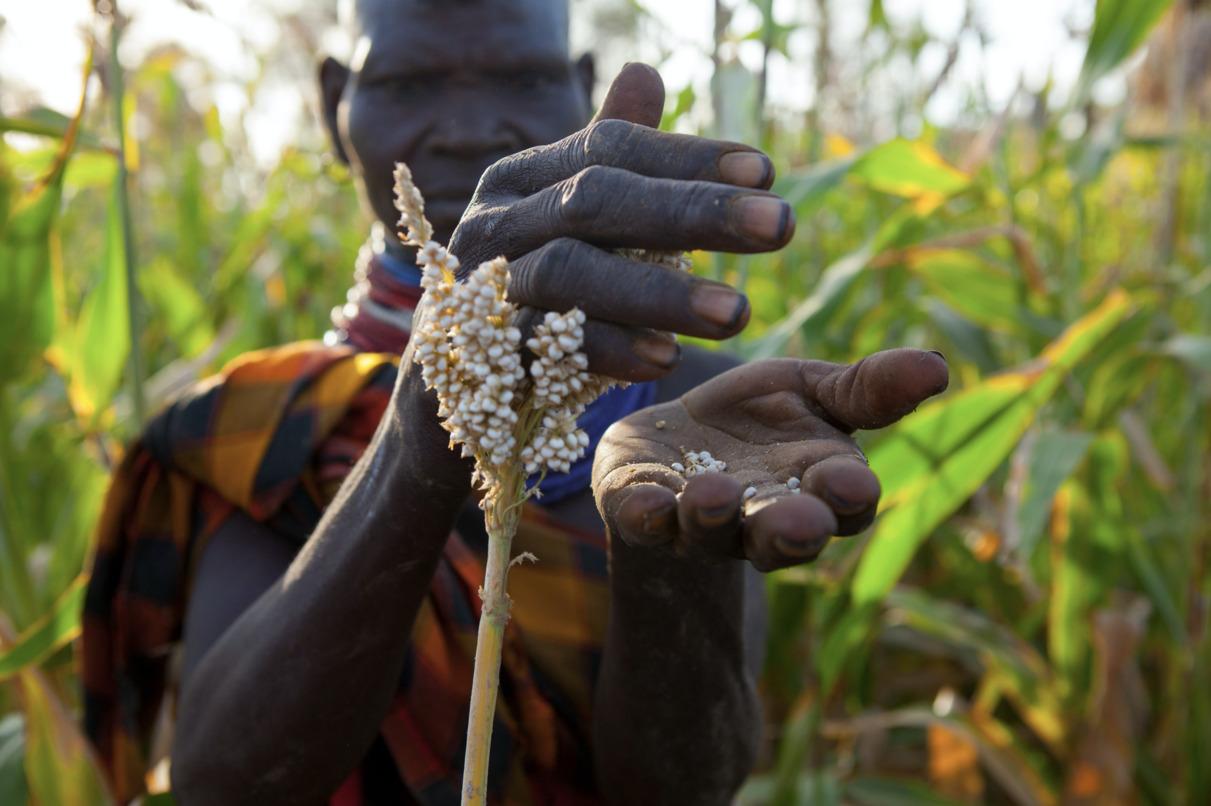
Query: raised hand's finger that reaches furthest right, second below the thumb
(612, 209)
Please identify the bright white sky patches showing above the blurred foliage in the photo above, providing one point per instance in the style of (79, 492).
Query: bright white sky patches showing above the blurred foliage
(42, 50)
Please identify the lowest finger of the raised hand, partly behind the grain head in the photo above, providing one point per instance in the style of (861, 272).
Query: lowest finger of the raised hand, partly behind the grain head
(625, 354)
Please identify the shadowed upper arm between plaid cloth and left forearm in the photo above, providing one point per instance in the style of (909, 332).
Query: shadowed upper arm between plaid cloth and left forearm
(240, 562)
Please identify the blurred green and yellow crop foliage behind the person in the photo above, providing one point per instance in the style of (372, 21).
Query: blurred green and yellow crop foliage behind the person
(1028, 621)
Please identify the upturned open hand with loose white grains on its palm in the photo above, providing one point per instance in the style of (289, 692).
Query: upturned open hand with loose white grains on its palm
(776, 425)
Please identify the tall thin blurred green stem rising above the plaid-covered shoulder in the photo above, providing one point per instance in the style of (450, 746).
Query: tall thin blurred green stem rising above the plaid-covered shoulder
(118, 95)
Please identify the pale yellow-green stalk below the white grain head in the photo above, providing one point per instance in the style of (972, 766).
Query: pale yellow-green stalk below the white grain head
(501, 519)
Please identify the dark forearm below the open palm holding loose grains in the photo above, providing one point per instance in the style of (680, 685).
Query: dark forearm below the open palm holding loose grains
(678, 717)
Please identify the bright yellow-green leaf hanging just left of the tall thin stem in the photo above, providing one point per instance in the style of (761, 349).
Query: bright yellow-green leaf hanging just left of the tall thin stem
(102, 337)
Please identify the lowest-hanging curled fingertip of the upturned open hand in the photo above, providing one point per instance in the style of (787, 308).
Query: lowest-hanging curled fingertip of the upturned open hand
(788, 531)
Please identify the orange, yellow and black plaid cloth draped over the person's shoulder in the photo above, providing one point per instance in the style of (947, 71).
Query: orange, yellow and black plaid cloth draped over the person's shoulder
(276, 435)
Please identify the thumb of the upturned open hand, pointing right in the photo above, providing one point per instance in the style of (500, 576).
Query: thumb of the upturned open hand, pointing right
(879, 390)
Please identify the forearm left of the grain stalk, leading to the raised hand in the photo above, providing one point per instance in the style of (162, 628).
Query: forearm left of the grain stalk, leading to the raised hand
(288, 701)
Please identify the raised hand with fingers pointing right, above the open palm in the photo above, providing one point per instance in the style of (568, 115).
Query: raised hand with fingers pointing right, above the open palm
(559, 212)
